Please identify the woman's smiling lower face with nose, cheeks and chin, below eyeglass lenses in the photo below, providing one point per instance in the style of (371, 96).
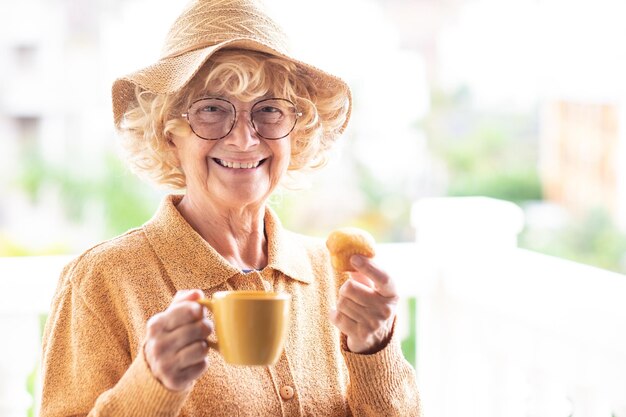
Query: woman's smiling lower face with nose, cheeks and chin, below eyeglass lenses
(239, 170)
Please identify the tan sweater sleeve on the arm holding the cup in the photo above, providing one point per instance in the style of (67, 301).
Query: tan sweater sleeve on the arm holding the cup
(88, 370)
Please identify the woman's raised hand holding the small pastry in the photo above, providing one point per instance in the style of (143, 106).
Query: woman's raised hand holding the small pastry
(366, 307)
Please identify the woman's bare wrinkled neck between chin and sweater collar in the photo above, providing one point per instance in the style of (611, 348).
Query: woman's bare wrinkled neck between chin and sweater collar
(236, 233)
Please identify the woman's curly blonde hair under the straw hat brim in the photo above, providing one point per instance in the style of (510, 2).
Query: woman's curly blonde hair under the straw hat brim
(148, 124)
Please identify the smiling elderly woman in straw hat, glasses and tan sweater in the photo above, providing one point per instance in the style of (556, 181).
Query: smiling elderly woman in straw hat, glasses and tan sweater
(227, 115)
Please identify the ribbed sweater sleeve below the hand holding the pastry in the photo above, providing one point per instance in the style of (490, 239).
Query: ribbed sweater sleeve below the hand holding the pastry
(381, 384)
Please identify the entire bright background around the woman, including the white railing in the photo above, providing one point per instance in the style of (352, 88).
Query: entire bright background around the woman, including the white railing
(518, 100)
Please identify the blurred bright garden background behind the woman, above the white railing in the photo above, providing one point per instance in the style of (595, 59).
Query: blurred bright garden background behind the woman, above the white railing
(517, 99)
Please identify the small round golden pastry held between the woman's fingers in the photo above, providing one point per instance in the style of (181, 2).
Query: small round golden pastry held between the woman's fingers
(345, 242)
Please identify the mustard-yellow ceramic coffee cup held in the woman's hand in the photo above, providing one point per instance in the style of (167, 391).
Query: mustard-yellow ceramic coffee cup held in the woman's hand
(251, 326)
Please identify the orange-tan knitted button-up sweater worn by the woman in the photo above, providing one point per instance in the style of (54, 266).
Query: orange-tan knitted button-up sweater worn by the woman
(93, 362)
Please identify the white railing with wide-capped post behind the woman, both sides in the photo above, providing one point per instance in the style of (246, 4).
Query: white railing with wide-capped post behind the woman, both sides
(501, 331)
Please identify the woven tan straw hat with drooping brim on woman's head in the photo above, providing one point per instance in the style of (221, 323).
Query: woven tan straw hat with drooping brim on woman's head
(204, 27)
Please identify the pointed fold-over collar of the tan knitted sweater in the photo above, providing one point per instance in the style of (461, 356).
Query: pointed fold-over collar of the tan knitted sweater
(192, 263)
